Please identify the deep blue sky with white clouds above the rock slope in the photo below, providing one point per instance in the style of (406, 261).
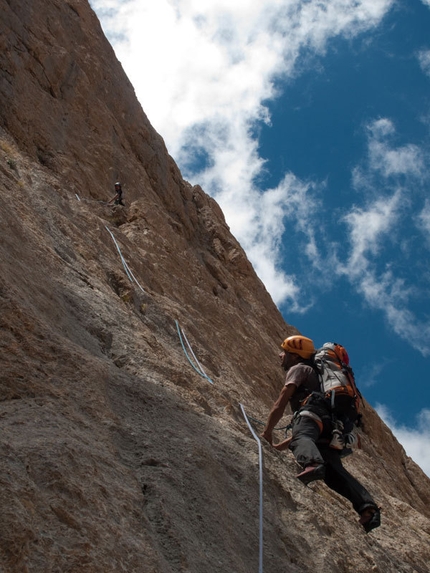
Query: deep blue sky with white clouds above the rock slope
(309, 122)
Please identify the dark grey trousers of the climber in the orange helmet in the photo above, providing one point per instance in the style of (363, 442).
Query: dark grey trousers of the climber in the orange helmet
(306, 433)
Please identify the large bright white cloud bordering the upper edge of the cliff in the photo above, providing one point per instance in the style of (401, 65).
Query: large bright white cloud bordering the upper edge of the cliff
(202, 70)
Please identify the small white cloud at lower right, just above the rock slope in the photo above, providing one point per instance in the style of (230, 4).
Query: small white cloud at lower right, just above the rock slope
(415, 439)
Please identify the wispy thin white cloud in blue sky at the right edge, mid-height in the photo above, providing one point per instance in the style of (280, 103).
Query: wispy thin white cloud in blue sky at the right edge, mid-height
(390, 180)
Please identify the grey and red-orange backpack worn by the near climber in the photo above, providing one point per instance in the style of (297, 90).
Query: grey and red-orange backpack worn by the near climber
(338, 382)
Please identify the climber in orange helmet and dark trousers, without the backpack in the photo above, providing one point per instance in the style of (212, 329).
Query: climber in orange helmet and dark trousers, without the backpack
(312, 430)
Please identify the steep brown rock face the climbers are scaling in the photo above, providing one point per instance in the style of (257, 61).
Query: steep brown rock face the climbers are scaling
(117, 455)
